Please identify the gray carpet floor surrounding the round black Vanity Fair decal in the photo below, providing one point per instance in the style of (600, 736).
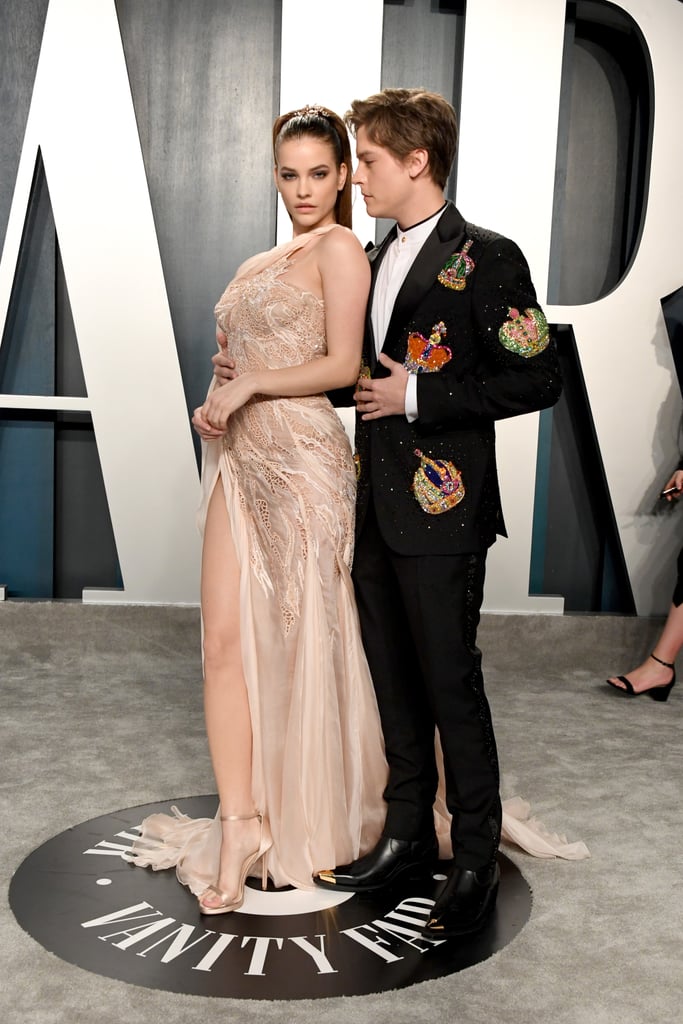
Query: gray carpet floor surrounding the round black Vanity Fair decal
(102, 709)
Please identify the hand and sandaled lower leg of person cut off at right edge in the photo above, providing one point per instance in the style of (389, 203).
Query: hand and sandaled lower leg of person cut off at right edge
(657, 675)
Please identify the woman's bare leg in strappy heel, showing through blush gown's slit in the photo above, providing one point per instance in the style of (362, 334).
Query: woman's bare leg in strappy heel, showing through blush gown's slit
(227, 708)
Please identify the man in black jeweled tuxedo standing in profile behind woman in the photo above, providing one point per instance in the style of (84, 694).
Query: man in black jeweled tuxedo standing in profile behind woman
(455, 340)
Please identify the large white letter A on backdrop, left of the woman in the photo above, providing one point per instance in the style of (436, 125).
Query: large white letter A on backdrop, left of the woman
(83, 122)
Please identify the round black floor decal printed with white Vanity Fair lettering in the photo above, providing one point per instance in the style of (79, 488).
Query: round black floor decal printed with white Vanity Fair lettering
(80, 899)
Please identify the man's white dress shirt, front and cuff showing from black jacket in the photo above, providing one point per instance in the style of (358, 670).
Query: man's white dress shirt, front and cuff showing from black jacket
(399, 260)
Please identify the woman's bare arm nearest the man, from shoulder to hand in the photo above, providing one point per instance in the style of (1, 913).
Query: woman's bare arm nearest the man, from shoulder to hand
(346, 282)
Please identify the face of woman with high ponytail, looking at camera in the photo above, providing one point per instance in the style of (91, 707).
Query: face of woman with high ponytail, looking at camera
(309, 180)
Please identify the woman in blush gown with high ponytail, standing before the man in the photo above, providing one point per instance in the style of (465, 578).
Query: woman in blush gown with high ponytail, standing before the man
(291, 716)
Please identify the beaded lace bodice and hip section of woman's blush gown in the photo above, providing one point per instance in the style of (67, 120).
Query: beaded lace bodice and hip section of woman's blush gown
(290, 457)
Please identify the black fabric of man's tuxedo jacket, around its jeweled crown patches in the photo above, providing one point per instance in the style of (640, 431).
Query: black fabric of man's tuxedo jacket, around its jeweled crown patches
(458, 404)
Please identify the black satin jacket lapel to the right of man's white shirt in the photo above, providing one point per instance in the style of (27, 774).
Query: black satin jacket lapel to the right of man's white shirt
(449, 234)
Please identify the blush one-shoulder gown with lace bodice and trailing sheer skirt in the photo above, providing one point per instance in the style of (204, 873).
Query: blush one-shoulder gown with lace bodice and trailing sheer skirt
(287, 474)
